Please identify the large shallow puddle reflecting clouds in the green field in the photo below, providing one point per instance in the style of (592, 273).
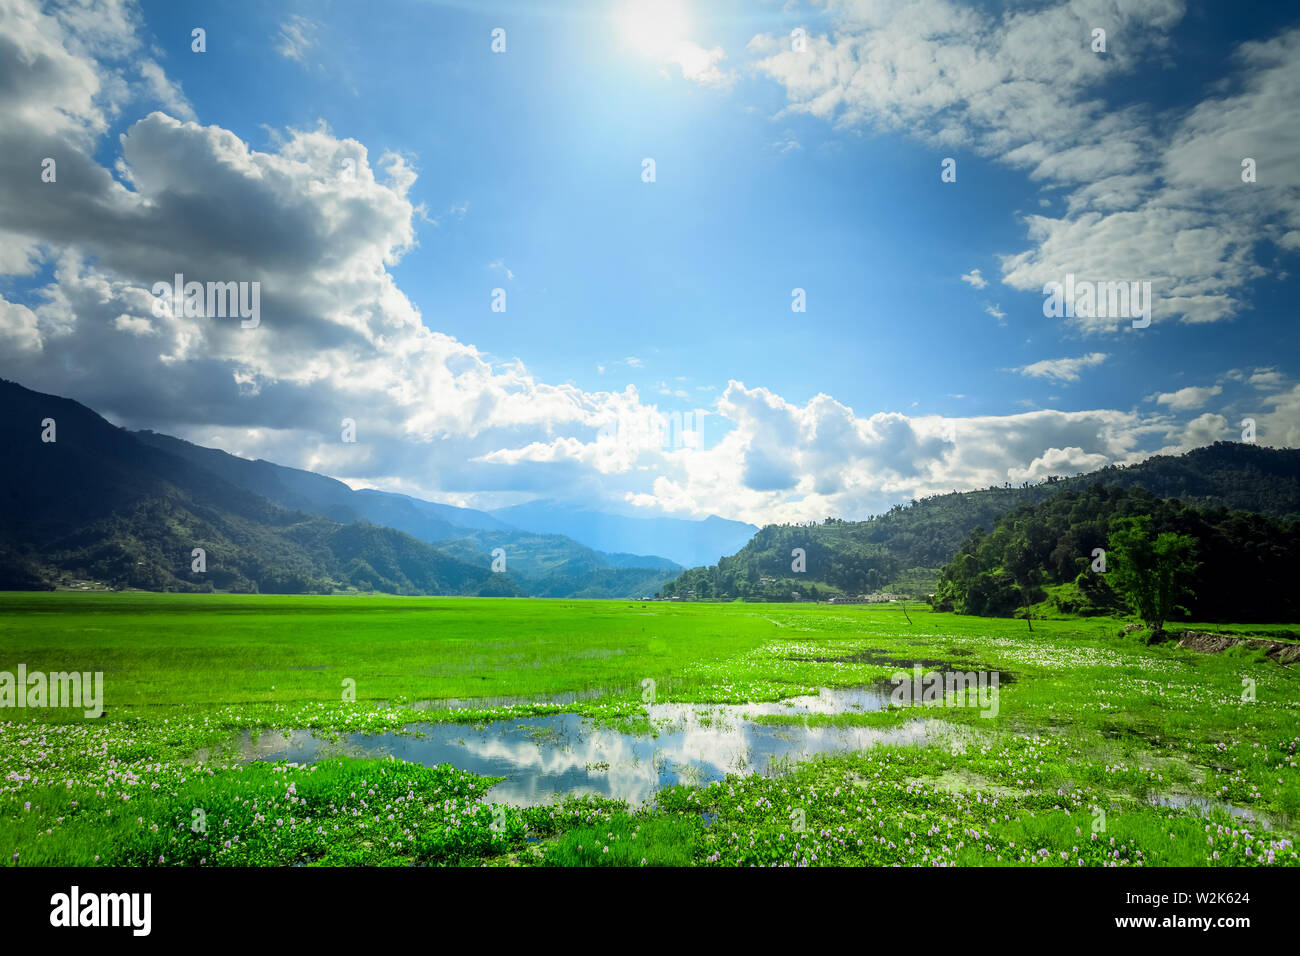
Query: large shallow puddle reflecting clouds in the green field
(545, 759)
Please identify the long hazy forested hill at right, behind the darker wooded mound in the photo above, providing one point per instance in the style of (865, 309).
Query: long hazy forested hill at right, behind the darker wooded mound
(904, 548)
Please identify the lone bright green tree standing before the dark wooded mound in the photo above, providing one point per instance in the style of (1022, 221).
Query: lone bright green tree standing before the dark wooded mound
(1151, 573)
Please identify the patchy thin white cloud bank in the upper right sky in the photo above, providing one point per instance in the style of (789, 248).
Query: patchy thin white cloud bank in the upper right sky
(1151, 198)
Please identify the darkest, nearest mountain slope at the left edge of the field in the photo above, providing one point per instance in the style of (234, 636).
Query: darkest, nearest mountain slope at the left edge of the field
(98, 504)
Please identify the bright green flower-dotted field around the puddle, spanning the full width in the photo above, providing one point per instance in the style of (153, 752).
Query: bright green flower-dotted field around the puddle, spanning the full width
(1090, 729)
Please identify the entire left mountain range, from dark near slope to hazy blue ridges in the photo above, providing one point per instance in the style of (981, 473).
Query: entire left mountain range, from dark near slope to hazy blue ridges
(106, 507)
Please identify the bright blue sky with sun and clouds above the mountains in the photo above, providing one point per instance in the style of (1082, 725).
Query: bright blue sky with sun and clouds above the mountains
(774, 170)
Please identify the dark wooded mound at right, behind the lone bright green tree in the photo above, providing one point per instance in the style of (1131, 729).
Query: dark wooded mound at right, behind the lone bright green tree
(1246, 565)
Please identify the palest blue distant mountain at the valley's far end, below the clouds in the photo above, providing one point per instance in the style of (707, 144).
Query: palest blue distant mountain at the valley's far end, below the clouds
(684, 542)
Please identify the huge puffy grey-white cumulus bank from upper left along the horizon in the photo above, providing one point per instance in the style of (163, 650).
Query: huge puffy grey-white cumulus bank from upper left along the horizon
(319, 224)
